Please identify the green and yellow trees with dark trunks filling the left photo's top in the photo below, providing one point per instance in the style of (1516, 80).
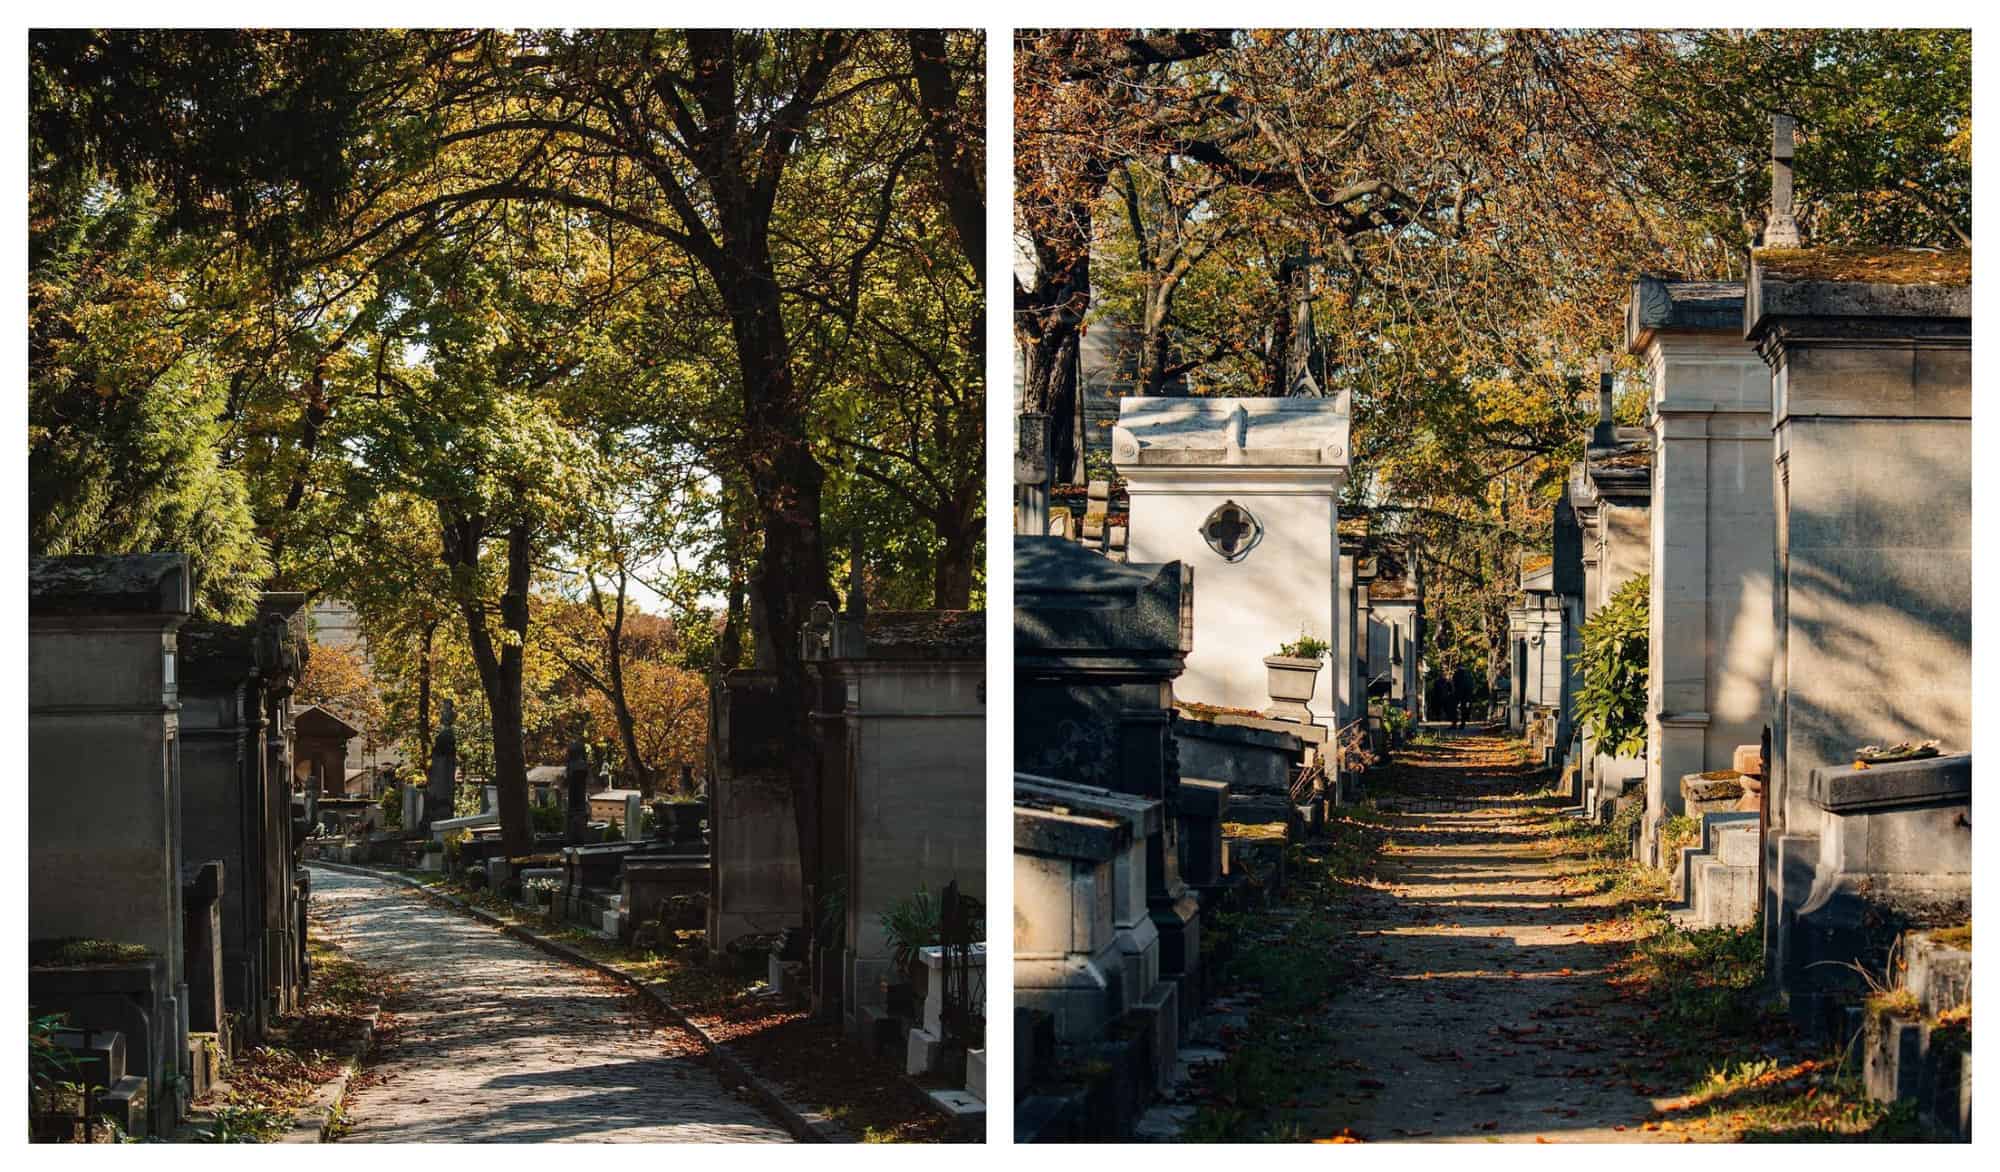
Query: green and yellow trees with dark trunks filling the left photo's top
(511, 337)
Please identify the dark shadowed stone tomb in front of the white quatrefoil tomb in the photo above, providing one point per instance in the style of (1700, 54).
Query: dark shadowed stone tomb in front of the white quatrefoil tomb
(1097, 651)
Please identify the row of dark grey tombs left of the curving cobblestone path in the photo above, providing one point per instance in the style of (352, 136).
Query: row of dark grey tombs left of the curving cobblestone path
(167, 895)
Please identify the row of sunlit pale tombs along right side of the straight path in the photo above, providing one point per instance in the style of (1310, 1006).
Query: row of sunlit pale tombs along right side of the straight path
(1799, 507)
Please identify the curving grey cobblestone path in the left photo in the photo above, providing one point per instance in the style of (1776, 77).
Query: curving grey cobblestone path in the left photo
(495, 1041)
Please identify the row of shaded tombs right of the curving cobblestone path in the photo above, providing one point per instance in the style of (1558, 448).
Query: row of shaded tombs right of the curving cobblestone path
(717, 875)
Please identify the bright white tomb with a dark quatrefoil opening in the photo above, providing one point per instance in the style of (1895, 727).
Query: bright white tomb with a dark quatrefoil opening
(1245, 491)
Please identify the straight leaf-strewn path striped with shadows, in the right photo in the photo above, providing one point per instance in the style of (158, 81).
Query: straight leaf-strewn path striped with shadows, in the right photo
(1485, 1013)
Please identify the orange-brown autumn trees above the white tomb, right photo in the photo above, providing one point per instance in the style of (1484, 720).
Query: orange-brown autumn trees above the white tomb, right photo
(1469, 211)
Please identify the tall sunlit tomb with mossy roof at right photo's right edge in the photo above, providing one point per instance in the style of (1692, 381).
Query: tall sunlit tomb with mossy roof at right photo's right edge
(1873, 563)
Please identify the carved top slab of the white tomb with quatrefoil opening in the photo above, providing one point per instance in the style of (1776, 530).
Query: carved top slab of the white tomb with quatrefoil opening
(1251, 433)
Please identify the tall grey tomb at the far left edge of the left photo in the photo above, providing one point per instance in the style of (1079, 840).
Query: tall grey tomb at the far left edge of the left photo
(105, 845)
